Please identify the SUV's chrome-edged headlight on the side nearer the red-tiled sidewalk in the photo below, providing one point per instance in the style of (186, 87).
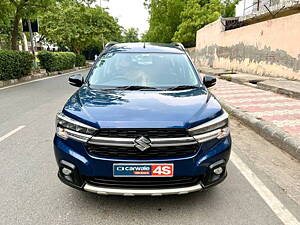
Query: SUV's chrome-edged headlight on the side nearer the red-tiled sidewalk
(215, 128)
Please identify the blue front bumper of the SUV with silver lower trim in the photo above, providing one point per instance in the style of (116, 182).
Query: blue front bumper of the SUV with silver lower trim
(90, 166)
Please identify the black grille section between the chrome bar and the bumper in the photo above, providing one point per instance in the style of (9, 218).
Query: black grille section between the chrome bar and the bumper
(120, 152)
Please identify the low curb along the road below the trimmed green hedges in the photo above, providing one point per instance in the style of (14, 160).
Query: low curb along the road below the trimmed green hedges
(36, 76)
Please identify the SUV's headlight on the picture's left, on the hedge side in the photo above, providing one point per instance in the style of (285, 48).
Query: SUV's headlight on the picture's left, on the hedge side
(67, 127)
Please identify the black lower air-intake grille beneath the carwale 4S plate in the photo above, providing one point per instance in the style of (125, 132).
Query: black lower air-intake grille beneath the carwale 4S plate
(142, 182)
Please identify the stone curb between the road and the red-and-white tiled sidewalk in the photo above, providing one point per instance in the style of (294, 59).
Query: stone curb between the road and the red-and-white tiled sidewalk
(276, 136)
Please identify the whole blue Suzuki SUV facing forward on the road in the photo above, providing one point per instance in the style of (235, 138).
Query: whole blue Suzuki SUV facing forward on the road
(142, 123)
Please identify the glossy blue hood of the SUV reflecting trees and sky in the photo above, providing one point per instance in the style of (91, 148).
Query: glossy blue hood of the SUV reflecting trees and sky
(142, 109)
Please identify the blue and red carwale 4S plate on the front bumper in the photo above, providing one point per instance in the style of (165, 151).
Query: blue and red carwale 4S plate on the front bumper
(143, 170)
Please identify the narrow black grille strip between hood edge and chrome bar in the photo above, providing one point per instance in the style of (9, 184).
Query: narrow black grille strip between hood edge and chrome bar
(149, 133)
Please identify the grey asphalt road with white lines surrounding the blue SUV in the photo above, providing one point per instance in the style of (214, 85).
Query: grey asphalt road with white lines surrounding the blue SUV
(262, 186)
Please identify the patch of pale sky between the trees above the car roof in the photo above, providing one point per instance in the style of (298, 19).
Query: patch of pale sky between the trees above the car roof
(130, 13)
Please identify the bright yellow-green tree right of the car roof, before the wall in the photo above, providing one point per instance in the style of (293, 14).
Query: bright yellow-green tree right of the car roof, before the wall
(195, 15)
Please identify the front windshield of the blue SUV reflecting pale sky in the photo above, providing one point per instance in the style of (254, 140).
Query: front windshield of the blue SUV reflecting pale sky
(157, 70)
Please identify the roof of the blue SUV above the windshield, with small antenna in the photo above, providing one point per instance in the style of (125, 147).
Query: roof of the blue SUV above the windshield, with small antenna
(145, 48)
